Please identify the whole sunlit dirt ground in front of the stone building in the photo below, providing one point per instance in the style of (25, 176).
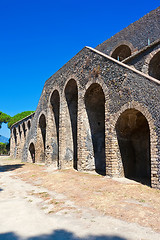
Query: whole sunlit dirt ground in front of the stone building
(89, 205)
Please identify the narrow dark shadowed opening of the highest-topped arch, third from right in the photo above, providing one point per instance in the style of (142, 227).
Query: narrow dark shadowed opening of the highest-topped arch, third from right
(71, 94)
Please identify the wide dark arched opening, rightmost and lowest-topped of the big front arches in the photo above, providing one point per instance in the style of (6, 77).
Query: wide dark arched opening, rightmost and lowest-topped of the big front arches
(134, 142)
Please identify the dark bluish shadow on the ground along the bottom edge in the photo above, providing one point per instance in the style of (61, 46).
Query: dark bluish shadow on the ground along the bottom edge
(58, 235)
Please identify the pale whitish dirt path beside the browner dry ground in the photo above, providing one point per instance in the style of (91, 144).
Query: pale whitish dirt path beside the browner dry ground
(27, 212)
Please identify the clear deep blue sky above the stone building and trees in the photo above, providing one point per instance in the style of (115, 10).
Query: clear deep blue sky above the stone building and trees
(37, 37)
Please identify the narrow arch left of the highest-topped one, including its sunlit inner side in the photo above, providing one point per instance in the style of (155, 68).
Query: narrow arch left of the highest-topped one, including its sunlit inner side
(55, 107)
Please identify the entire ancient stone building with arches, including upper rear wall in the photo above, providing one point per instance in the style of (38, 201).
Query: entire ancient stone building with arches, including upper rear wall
(100, 112)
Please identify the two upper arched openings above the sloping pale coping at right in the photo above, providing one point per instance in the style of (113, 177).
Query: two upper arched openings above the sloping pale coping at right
(123, 51)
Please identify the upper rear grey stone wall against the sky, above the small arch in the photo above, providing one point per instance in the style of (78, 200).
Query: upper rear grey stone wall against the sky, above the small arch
(136, 35)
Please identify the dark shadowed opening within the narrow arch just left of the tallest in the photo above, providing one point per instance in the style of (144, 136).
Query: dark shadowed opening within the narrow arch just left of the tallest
(55, 103)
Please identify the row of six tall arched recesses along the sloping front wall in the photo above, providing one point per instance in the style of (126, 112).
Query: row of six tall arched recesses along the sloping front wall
(132, 131)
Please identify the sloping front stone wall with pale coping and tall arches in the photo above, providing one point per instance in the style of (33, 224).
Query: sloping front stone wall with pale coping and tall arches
(81, 105)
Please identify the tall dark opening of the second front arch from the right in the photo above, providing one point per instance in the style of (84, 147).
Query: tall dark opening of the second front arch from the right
(95, 107)
